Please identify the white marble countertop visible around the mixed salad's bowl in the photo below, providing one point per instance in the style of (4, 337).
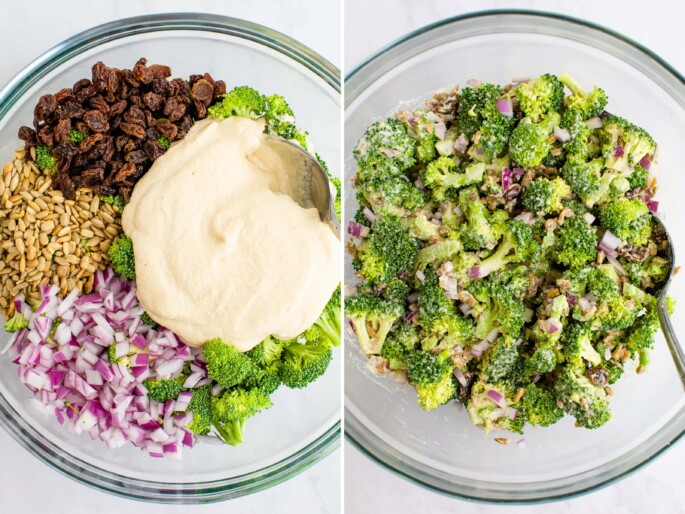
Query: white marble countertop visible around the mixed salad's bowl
(369, 26)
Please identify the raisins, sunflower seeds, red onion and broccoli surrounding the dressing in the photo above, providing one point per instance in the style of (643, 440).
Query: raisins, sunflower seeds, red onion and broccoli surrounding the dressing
(83, 343)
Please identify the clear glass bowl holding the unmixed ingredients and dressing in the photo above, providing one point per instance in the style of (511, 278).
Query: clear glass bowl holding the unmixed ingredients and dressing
(304, 425)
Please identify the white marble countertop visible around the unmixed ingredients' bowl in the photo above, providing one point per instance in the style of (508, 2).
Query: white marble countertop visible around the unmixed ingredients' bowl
(29, 29)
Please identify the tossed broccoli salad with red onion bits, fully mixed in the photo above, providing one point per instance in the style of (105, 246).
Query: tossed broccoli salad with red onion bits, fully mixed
(507, 252)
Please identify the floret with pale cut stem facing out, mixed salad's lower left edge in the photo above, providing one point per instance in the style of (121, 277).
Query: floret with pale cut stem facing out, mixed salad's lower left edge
(372, 318)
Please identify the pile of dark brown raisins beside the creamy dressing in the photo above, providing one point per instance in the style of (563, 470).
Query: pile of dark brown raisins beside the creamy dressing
(106, 132)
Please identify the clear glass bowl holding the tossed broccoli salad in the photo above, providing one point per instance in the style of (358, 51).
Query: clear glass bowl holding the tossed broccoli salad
(441, 449)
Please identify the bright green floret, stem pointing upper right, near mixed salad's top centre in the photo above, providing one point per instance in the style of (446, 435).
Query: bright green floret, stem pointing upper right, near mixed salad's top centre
(531, 142)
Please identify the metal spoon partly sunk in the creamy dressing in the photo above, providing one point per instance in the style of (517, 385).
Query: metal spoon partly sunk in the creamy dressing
(320, 192)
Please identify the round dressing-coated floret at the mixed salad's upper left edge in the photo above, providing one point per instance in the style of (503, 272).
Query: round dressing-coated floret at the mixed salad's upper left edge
(385, 149)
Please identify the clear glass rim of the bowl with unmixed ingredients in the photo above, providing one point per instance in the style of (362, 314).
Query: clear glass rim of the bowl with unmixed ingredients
(18, 428)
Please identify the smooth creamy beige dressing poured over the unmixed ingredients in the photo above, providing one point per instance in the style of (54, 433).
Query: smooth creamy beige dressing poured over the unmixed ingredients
(220, 251)
